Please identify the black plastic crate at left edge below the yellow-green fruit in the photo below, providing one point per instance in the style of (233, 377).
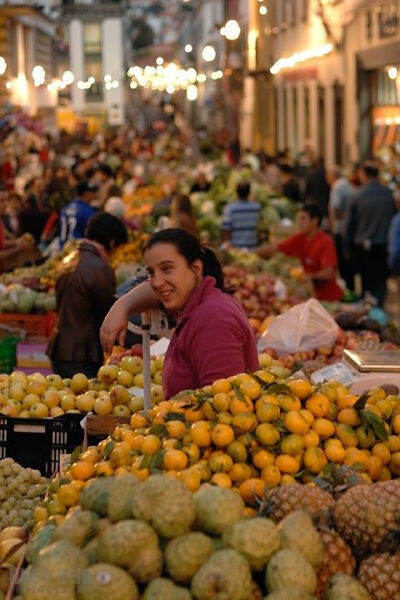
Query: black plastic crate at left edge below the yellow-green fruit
(39, 443)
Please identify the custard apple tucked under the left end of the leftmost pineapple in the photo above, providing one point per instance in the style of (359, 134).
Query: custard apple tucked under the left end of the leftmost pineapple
(256, 539)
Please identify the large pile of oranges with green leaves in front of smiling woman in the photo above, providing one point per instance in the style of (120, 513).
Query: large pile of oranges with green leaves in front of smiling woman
(248, 432)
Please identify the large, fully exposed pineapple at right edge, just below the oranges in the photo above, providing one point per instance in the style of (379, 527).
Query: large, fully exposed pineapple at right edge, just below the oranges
(367, 516)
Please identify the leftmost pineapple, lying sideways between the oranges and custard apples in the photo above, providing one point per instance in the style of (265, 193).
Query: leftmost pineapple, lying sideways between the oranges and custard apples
(281, 501)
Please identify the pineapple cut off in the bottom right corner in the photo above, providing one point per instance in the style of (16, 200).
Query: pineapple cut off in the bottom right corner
(380, 575)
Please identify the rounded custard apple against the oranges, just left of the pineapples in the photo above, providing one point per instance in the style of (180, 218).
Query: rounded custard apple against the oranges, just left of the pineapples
(217, 508)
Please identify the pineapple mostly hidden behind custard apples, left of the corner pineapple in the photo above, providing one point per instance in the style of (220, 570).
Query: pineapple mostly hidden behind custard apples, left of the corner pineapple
(337, 559)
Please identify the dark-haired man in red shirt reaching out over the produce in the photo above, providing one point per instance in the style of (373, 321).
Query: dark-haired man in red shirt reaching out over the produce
(315, 249)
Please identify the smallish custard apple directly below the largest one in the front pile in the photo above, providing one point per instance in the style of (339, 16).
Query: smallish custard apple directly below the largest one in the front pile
(184, 555)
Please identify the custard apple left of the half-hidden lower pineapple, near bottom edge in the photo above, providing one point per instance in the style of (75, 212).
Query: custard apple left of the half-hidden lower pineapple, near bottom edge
(289, 568)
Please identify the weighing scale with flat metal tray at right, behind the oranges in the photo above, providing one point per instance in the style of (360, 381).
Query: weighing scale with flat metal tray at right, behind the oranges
(363, 370)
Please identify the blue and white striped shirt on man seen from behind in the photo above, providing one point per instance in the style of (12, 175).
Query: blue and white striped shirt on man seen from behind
(241, 219)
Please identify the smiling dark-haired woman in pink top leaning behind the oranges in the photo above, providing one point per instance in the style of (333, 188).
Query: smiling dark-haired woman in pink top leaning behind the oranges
(212, 338)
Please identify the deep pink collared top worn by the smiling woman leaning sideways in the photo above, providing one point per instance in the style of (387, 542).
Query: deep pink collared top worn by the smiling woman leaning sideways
(212, 340)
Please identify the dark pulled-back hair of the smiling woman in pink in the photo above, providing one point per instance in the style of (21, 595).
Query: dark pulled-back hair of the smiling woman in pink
(190, 248)
